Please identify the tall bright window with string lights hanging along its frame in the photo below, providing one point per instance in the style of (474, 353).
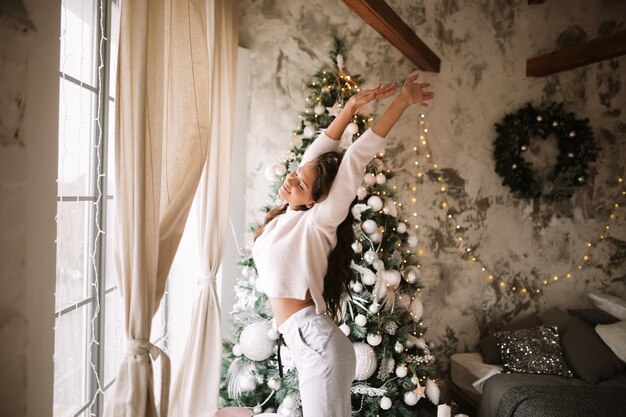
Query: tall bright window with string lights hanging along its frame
(89, 324)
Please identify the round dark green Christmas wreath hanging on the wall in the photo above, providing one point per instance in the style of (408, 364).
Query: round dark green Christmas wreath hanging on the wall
(576, 148)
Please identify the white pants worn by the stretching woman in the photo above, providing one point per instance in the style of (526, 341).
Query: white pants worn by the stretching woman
(325, 360)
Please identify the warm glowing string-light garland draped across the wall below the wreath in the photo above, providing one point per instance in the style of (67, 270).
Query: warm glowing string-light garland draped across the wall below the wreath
(519, 288)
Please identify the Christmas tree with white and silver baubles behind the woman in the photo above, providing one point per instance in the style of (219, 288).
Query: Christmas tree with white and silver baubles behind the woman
(383, 315)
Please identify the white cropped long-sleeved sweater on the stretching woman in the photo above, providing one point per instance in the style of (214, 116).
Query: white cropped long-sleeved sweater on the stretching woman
(291, 256)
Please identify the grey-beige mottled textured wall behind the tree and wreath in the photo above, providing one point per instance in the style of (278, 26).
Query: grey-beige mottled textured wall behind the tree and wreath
(483, 46)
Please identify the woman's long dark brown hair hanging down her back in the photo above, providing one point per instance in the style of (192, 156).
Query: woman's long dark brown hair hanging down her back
(338, 275)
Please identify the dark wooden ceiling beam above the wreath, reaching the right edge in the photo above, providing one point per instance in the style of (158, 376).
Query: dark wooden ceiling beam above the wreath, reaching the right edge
(574, 56)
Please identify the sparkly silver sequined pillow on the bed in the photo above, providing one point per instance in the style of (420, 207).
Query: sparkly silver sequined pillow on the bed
(532, 351)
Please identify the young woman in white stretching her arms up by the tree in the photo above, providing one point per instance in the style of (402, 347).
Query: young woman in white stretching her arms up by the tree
(302, 250)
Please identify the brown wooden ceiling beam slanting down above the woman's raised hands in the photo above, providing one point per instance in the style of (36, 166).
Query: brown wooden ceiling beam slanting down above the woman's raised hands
(385, 21)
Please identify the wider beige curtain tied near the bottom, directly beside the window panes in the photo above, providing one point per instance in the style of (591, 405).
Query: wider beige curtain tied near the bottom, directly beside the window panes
(162, 133)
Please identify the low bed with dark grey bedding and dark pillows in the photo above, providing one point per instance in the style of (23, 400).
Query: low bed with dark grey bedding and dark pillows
(594, 383)
